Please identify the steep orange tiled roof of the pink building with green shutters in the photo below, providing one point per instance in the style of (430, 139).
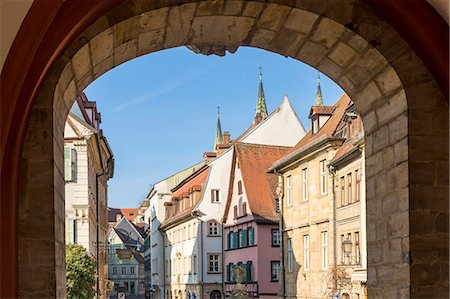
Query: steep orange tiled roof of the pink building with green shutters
(254, 160)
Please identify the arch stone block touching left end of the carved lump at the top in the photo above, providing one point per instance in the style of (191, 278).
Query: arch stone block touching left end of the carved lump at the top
(179, 24)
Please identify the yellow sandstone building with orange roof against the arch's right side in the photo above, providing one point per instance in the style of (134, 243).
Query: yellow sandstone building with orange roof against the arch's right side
(317, 262)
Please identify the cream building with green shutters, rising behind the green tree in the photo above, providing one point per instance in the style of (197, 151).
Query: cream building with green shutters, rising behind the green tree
(88, 165)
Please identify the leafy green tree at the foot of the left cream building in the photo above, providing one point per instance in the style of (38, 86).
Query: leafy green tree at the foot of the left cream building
(80, 272)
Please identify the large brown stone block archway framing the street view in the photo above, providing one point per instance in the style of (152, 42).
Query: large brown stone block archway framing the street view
(402, 108)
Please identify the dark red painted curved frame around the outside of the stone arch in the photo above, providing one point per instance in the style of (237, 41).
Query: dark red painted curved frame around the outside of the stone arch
(50, 27)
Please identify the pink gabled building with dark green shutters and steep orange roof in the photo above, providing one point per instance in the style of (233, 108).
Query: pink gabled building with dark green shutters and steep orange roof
(251, 233)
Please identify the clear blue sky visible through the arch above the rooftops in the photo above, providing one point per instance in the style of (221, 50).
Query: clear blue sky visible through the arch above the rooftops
(159, 111)
